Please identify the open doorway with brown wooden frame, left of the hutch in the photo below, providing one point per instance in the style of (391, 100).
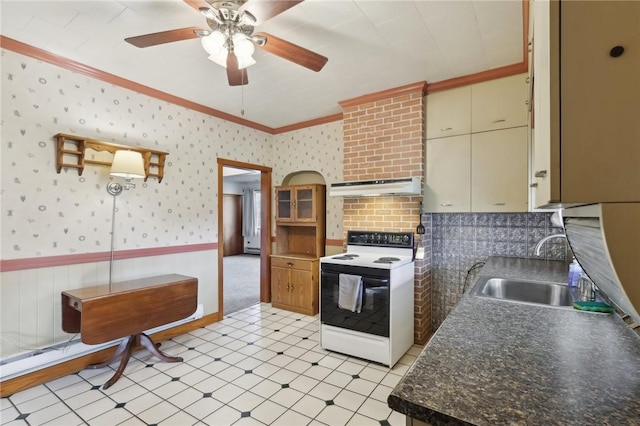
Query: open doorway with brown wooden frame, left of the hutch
(232, 249)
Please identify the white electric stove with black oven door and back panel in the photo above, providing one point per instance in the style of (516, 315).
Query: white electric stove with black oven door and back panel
(382, 331)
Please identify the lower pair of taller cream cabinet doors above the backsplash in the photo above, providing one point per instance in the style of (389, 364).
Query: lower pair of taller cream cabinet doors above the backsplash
(482, 172)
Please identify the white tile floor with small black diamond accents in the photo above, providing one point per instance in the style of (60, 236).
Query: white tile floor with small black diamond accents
(258, 366)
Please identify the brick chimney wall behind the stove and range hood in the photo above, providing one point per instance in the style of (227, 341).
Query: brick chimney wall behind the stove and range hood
(384, 138)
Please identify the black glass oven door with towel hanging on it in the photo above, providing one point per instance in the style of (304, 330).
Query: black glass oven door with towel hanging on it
(374, 315)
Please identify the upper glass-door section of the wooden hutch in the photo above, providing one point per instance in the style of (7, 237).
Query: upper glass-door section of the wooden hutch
(298, 203)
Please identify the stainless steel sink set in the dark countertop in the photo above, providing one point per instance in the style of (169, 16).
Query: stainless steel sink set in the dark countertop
(523, 291)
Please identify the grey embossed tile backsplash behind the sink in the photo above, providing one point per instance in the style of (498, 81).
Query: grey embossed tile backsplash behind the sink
(461, 240)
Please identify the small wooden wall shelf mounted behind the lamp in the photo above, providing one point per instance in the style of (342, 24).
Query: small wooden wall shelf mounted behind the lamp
(71, 147)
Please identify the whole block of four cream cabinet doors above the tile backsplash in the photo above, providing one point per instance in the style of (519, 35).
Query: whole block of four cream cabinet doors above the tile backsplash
(486, 169)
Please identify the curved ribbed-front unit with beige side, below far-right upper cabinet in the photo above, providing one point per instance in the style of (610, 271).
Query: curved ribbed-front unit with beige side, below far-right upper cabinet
(605, 239)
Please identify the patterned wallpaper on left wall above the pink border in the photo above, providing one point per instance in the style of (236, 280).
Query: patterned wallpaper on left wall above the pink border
(48, 214)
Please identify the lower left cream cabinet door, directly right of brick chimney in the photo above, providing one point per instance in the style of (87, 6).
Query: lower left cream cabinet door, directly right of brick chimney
(448, 175)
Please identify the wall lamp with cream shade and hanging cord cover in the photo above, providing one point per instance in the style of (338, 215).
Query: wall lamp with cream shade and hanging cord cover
(129, 165)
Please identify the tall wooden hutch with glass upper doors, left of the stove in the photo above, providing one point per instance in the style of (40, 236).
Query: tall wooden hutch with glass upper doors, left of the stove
(300, 242)
